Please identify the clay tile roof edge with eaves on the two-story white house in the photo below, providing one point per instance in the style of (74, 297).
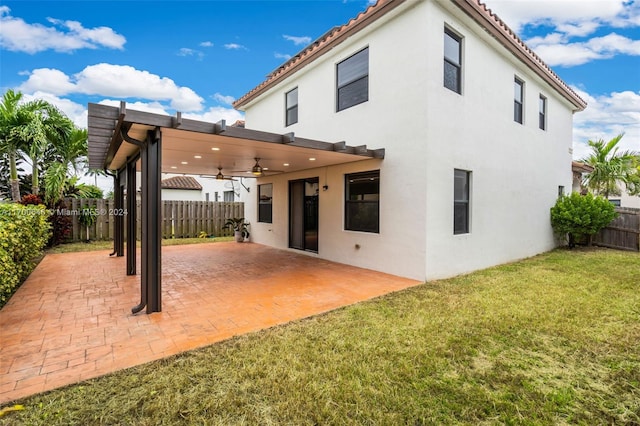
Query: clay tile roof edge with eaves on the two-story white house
(474, 8)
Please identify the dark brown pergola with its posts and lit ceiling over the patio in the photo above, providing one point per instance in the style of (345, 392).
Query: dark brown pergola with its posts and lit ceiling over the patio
(124, 141)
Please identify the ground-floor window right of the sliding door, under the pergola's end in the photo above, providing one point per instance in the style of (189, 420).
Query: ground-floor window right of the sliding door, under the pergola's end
(362, 203)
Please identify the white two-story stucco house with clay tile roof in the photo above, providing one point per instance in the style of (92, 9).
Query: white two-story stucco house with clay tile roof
(477, 133)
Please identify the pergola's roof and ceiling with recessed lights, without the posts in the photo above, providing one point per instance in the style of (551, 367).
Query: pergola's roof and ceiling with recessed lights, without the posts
(199, 148)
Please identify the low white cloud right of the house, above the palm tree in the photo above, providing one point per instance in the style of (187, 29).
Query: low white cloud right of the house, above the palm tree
(605, 117)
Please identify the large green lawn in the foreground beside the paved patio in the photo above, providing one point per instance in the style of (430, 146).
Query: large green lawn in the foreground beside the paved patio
(554, 339)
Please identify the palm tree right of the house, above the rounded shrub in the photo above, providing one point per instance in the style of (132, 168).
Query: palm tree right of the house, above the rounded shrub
(610, 167)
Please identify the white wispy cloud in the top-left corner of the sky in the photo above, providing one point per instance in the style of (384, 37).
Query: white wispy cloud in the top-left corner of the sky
(64, 36)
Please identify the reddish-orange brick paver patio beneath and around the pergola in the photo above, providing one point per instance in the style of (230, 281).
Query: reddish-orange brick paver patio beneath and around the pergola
(71, 320)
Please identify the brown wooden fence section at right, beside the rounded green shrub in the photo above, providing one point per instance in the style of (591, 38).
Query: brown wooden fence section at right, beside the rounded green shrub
(623, 232)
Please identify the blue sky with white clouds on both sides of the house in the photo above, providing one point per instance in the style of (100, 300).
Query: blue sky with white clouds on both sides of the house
(198, 56)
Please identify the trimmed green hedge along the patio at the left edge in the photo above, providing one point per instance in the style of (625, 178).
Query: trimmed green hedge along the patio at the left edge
(24, 230)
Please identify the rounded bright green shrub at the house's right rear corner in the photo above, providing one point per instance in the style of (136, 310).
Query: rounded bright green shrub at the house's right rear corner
(579, 217)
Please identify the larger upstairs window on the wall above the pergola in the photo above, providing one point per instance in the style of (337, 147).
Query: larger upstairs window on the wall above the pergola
(353, 80)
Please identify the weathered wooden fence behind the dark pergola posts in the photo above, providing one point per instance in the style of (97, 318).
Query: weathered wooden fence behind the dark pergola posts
(180, 219)
